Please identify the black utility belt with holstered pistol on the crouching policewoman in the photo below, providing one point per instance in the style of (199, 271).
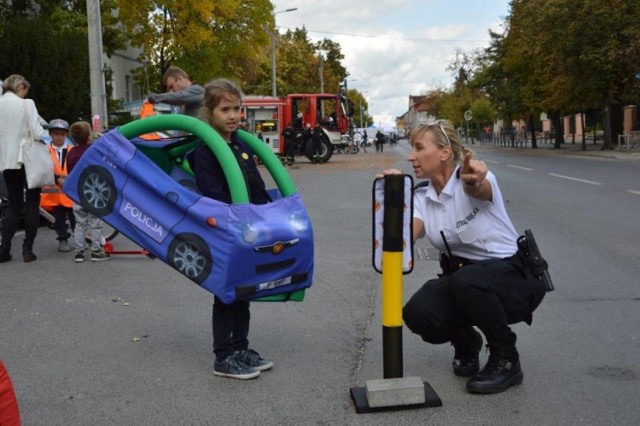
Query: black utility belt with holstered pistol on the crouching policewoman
(528, 257)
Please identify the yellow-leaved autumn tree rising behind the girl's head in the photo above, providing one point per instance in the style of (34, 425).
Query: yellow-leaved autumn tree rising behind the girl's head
(207, 38)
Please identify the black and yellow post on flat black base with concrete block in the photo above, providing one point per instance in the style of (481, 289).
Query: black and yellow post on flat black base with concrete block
(392, 226)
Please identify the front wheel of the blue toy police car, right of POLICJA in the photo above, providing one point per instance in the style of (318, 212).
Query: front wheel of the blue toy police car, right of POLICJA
(189, 254)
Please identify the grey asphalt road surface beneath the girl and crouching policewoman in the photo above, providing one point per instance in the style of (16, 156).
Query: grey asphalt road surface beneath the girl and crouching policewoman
(67, 330)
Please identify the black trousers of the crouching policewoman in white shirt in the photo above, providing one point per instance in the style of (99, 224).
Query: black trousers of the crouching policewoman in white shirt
(489, 294)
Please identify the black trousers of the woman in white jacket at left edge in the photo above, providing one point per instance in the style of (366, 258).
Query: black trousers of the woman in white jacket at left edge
(19, 201)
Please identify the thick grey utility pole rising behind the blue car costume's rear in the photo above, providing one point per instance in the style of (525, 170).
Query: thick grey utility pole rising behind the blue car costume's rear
(99, 117)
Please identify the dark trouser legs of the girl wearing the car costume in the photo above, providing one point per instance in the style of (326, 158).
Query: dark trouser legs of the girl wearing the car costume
(230, 324)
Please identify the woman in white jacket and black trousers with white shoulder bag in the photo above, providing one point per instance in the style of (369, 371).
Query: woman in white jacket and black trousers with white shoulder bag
(18, 114)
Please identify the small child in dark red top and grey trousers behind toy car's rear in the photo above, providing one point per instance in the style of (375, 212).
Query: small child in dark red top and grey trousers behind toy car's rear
(85, 220)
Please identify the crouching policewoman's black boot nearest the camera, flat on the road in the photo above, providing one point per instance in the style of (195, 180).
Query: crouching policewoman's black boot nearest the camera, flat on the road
(501, 372)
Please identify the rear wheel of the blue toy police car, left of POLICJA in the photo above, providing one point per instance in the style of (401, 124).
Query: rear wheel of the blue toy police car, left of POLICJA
(96, 190)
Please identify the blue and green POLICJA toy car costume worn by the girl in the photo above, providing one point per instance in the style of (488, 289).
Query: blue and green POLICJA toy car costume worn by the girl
(146, 190)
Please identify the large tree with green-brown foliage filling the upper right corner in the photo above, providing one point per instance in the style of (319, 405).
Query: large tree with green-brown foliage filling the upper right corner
(563, 56)
